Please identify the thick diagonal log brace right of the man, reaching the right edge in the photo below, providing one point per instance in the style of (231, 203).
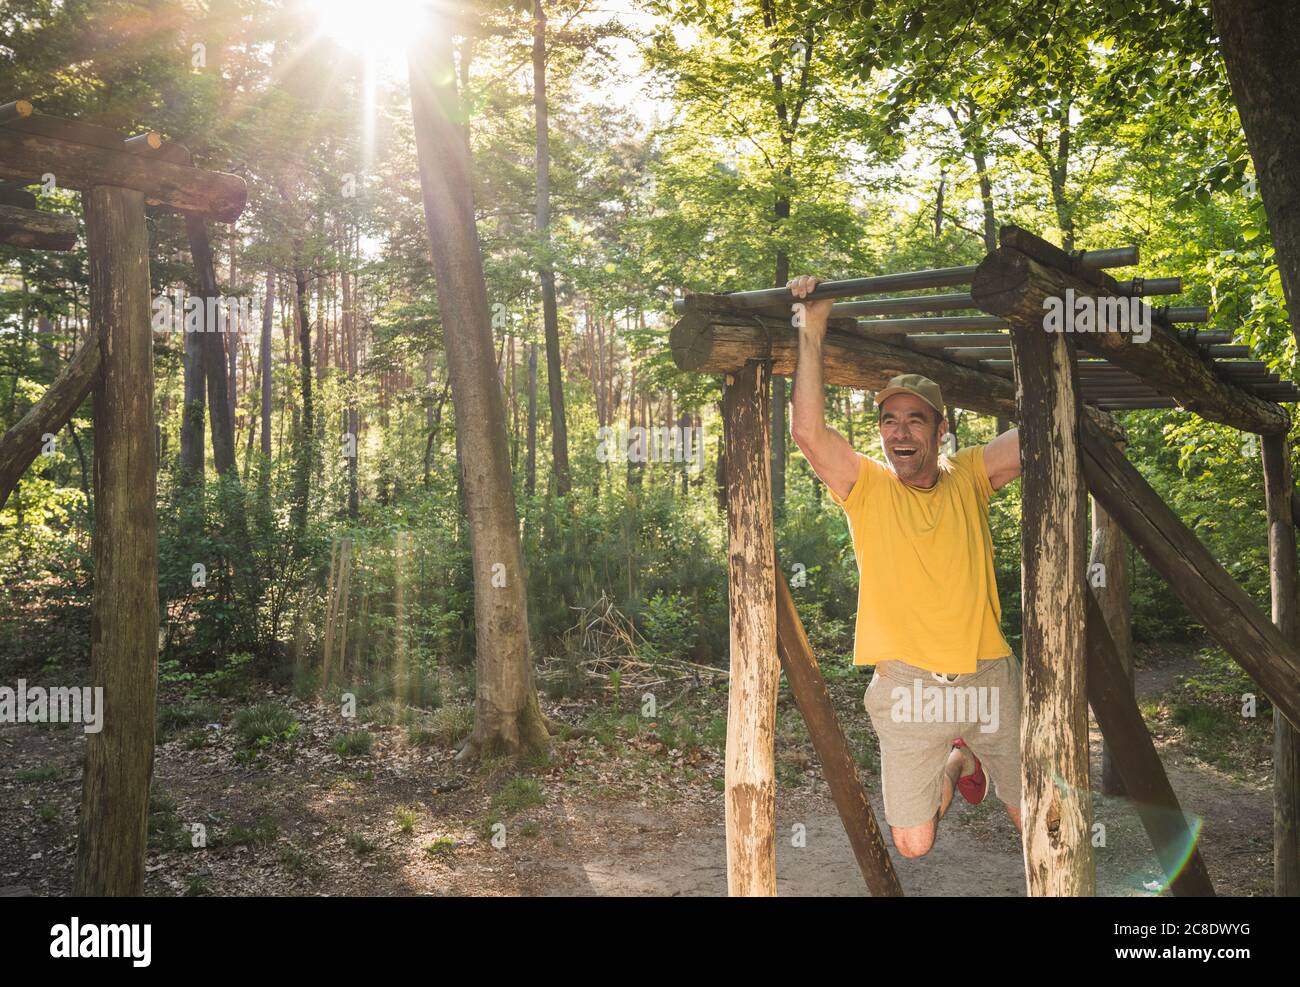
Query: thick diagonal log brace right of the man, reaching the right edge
(1194, 575)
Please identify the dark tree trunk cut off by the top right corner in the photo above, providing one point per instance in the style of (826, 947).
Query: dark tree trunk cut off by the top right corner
(1260, 40)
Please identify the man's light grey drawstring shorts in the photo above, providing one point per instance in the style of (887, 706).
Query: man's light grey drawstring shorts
(917, 717)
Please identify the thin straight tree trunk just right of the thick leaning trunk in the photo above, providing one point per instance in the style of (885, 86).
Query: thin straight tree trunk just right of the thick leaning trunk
(551, 318)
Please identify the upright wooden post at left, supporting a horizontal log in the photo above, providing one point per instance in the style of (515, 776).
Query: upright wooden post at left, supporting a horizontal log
(125, 613)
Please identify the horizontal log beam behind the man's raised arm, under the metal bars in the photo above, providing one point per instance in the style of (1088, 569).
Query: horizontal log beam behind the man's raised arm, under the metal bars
(723, 344)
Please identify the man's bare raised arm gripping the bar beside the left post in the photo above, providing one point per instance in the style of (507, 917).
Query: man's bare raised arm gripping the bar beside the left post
(827, 452)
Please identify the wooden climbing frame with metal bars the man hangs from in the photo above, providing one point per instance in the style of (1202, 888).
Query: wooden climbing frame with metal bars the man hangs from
(996, 360)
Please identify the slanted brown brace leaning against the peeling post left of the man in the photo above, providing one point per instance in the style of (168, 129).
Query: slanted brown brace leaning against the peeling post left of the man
(833, 750)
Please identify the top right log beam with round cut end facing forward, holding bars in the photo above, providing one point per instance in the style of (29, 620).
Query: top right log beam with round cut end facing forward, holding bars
(1016, 287)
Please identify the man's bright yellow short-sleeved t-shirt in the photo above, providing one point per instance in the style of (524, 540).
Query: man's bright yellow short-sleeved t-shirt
(926, 587)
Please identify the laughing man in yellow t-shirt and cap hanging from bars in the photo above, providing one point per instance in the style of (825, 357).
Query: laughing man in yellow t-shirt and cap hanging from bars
(946, 695)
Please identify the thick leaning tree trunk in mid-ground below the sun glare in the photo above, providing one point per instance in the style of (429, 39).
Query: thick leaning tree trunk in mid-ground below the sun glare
(508, 716)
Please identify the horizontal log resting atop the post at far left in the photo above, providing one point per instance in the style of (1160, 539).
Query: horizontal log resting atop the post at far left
(79, 166)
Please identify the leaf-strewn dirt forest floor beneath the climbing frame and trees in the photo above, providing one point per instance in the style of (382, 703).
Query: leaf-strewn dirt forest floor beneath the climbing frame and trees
(626, 817)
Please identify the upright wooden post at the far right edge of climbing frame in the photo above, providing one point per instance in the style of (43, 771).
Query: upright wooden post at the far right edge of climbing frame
(1286, 744)
